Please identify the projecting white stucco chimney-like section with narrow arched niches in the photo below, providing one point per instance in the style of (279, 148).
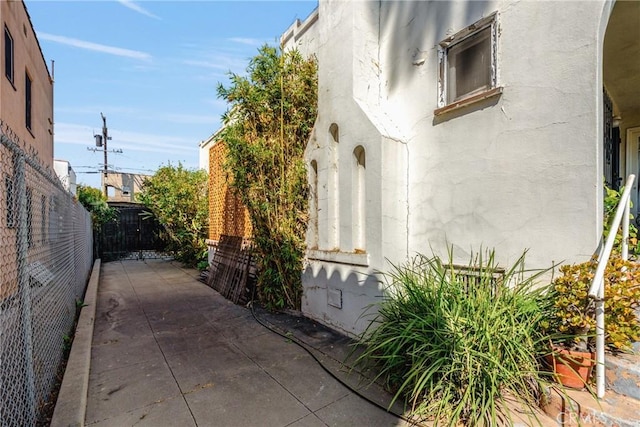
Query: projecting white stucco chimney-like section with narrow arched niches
(357, 171)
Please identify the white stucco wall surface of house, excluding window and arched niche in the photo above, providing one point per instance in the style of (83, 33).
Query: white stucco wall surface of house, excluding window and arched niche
(514, 172)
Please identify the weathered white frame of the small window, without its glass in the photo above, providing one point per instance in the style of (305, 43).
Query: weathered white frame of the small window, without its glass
(466, 36)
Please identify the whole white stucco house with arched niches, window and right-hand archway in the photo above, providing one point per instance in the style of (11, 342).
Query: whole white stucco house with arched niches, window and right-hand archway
(474, 124)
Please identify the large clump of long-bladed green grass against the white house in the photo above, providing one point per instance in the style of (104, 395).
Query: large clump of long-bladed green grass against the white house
(457, 344)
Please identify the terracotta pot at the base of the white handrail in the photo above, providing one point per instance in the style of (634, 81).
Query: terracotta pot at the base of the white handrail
(571, 368)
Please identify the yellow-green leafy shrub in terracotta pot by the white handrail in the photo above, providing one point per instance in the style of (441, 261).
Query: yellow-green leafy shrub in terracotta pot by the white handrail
(571, 322)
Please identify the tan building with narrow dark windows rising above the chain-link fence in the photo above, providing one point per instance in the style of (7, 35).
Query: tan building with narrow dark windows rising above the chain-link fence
(26, 91)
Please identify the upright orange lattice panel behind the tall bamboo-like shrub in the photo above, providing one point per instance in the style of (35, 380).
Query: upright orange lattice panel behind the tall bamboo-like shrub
(227, 214)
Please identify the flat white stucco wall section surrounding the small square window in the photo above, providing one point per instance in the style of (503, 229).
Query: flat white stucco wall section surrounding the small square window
(518, 171)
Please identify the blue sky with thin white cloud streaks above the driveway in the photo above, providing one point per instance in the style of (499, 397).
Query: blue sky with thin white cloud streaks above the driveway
(152, 68)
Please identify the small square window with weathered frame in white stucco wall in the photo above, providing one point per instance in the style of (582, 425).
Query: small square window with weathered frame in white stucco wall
(468, 65)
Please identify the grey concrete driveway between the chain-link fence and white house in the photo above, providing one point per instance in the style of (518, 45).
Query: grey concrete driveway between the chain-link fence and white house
(169, 351)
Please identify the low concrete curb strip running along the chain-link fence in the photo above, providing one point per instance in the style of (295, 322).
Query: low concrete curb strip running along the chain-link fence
(71, 406)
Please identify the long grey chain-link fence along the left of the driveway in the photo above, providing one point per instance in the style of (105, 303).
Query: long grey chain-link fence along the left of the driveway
(45, 261)
